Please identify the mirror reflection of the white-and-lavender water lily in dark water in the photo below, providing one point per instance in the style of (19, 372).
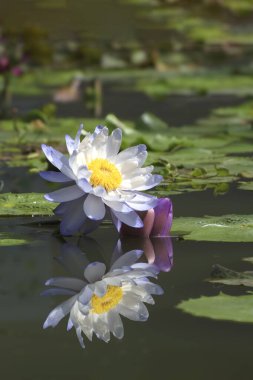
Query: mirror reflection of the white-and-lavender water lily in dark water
(98, 300)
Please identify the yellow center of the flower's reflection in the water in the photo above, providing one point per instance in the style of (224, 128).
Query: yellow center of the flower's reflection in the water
(111, 298)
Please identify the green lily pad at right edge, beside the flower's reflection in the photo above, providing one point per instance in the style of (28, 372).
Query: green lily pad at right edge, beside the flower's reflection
(221, 307)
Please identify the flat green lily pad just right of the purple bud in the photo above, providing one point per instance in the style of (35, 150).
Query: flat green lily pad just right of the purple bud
(227, 228)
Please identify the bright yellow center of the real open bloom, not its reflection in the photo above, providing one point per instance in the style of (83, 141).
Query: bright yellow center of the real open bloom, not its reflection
(105, 174)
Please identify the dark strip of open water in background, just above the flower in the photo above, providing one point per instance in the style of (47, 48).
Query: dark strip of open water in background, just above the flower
(176, 110)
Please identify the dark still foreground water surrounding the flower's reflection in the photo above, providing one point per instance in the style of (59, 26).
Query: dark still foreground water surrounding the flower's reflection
(170, 344)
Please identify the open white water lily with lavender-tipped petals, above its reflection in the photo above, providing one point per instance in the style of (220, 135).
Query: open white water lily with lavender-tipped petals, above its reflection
(104, 180)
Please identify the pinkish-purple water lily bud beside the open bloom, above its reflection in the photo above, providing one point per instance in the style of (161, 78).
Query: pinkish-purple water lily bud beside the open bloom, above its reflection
(156, 221)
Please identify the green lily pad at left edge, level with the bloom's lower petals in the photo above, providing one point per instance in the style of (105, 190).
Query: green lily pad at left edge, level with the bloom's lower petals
(25, 204)
